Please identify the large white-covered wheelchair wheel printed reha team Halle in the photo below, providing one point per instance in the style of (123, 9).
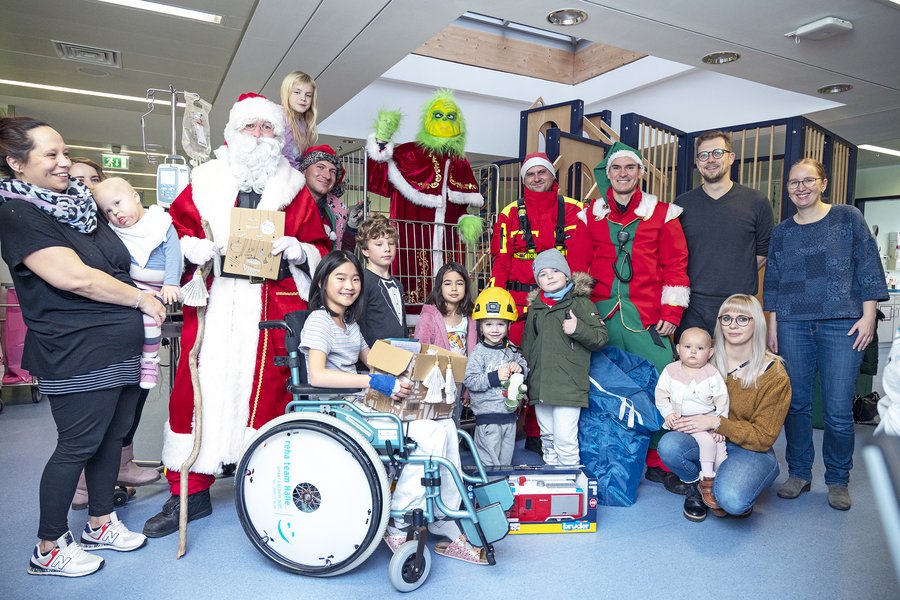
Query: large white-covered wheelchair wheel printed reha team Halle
(312, 494)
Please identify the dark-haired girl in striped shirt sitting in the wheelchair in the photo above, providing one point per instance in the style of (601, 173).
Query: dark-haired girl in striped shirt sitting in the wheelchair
(333, 344)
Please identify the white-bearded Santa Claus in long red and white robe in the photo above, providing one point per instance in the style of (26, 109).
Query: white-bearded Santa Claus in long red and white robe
(241, 387)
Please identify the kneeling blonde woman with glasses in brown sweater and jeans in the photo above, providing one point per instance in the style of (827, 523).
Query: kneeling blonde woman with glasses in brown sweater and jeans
(759, 392)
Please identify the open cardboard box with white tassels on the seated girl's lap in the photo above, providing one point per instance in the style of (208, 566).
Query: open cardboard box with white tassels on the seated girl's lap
(435, 374)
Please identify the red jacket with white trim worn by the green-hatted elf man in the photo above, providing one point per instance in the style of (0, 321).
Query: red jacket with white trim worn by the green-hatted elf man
(660, 288)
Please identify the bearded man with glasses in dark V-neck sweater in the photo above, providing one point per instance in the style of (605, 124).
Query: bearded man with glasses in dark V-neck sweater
(727, 228)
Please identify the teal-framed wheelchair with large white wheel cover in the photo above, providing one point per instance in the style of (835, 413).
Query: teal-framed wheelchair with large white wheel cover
(312, 488)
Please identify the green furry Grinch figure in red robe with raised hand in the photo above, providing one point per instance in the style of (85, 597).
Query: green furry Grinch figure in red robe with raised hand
(430, 185)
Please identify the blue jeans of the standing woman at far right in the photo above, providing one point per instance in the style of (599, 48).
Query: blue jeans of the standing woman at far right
(822, 346)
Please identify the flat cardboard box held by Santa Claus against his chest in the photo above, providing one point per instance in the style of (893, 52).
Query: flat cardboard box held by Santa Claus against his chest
(250, 241)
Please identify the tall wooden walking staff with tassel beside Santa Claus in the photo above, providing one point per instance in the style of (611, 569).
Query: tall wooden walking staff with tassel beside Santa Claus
(194, 293)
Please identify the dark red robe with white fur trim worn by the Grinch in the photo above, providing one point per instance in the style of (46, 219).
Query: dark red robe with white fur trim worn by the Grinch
(431, 191)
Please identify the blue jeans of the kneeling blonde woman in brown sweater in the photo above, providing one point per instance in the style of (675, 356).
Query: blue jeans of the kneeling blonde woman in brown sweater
(741, 477)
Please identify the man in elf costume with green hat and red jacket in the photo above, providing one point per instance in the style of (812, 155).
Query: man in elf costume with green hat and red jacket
(639, 264)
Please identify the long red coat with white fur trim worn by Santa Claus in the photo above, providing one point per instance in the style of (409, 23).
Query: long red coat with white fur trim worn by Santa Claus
(242, 389)
